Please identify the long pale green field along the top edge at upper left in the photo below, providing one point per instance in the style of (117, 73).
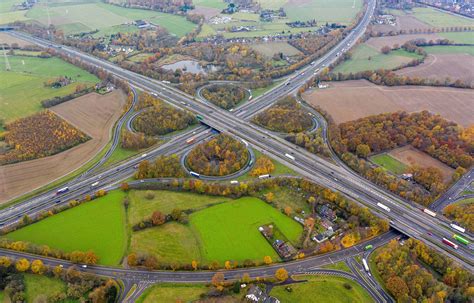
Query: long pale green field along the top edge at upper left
(75, 18)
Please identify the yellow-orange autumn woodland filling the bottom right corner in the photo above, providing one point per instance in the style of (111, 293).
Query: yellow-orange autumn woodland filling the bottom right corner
(416, 273)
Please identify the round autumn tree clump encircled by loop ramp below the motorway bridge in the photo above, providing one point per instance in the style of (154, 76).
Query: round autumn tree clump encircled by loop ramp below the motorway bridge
(222, 155)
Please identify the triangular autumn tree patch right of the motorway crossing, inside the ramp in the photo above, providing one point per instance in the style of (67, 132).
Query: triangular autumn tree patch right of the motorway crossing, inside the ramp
(286, 115)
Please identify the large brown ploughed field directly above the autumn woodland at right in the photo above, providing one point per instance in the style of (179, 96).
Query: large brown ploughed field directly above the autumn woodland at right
(350, 100)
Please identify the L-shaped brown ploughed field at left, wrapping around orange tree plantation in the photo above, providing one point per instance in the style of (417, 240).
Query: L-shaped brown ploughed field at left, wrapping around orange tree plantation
(95, 115)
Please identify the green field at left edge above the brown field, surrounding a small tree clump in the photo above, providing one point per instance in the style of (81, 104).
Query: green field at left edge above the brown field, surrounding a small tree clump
(23, 86)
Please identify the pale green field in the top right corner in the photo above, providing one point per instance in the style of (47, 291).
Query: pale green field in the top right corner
(436, 18)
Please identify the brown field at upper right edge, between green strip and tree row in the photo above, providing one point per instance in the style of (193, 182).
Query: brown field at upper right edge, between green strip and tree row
(440, 66)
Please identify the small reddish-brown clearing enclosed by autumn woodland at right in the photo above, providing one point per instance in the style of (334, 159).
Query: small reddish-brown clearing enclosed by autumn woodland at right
(411, 156)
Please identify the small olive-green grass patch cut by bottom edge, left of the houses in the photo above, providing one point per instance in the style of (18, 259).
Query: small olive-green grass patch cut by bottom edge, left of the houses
(172, 293)
